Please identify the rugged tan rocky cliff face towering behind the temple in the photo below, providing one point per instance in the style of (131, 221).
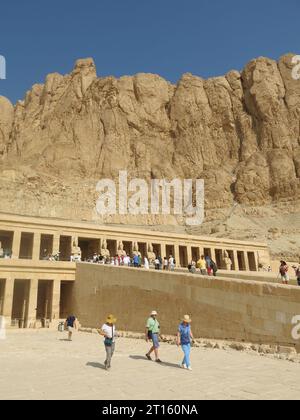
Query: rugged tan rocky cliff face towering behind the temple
(240, 132)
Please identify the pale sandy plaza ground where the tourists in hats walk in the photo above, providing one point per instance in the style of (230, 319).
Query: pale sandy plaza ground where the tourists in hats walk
(42, 365)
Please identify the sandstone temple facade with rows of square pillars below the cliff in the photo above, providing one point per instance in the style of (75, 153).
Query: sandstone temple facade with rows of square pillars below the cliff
(36, 290)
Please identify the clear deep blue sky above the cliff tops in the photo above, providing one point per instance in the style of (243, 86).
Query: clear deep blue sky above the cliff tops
(168, 37)
